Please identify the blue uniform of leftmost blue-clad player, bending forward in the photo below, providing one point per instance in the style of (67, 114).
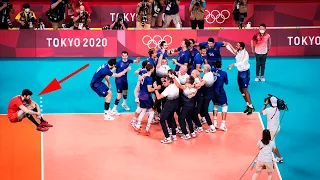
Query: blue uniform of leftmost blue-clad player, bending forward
(96, 83)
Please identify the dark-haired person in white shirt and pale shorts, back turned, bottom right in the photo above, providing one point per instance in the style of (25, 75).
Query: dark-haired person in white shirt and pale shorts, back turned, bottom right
(265, 156)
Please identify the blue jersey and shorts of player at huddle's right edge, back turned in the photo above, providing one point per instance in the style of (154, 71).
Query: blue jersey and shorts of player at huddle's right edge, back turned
(220, 93)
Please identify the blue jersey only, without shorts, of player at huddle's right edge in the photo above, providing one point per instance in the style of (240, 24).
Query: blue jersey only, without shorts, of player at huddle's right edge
(222, 78)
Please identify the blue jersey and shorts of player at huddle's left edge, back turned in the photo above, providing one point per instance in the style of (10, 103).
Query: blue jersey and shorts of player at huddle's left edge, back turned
(145, 97)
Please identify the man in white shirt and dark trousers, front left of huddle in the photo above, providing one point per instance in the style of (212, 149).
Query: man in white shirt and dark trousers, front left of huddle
(171, 93)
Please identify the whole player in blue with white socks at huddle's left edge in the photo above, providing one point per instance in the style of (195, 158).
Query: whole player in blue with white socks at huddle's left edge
(145, 98)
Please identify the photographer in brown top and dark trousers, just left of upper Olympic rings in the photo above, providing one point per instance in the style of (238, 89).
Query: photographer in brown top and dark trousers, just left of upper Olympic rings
(197, 13)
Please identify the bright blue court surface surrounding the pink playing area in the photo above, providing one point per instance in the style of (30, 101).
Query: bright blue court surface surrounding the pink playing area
(294, 79)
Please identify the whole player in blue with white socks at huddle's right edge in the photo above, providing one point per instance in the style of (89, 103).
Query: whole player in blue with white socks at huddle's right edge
(220, 97)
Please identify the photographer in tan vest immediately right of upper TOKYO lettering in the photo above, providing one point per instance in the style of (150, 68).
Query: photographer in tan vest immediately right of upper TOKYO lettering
(144, 15)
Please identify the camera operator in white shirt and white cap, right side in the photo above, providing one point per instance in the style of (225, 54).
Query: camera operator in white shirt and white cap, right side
(273, 120)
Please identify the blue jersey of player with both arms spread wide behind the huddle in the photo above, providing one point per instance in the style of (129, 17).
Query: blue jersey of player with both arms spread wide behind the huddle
(213, 54)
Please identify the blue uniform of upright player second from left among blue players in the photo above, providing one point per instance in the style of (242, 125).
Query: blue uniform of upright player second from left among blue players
(122, 82)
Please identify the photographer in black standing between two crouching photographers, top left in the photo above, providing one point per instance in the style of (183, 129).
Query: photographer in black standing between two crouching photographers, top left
(57, 12)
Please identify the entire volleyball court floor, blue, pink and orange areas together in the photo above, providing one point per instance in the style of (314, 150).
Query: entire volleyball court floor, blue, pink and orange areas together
(81, 145)
